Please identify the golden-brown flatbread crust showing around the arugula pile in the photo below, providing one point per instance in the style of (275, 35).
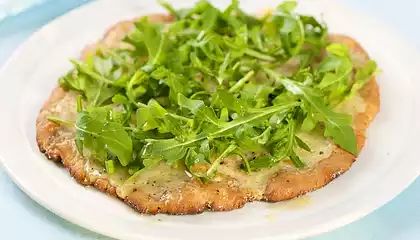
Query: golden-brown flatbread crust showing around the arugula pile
(191, 196)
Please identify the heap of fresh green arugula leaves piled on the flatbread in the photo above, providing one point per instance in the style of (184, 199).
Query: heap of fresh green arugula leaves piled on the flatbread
(206, 87)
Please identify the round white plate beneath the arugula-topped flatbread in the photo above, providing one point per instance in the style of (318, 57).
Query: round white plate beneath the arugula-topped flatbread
(387, 164)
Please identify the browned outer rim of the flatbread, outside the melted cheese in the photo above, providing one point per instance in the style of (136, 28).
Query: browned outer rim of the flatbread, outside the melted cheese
(196, 197)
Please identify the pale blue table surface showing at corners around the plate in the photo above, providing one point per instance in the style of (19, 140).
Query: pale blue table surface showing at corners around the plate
(22, 218)
